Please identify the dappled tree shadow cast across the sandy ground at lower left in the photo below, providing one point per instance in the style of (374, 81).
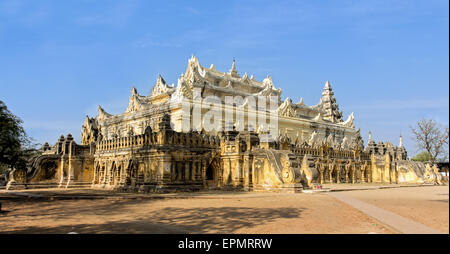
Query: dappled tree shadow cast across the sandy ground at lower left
(124, 216)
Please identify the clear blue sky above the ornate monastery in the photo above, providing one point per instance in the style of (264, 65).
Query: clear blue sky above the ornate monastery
(387, 61)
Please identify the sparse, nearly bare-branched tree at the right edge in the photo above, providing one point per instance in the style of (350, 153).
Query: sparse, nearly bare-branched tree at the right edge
(431, 137)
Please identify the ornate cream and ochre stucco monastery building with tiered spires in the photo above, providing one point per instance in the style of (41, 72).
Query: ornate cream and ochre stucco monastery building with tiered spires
(157, 144)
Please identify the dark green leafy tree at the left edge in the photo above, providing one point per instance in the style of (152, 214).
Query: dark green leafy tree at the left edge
(15, 145)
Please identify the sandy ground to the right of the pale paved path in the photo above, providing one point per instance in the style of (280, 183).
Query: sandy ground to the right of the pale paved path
(426, 205)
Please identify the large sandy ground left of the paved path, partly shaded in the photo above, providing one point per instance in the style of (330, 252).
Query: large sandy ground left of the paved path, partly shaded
(99, 212)
